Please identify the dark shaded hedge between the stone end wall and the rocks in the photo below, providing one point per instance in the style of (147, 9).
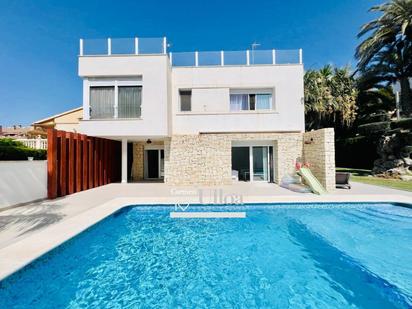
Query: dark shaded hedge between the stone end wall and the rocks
(356, 152)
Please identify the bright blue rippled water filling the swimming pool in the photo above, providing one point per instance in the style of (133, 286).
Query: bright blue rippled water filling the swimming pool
(317, 256)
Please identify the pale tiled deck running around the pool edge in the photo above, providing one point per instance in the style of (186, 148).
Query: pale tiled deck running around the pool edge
(31, 230)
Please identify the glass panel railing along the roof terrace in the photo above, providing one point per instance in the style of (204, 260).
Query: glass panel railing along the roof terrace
(158, 46)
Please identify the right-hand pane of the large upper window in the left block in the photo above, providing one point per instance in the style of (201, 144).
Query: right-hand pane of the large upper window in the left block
(129, 101)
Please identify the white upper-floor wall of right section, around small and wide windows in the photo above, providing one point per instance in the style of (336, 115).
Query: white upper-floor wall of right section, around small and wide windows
(211, 103)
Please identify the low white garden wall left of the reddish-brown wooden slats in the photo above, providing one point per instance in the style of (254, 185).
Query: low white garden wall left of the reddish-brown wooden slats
(22, 181)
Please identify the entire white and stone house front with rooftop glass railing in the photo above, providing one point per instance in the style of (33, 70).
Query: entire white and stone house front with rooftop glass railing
(200, 118)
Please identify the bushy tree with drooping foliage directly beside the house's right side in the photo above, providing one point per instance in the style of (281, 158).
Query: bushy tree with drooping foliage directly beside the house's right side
(330, 98)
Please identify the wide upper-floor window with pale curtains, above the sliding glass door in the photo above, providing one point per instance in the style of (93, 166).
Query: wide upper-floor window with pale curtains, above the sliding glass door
(250, 101)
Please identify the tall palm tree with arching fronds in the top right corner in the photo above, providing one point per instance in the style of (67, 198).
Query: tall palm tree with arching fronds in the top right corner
(387, 50)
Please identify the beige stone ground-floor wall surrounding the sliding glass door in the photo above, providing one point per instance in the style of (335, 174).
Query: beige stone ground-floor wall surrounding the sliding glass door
(205, 159)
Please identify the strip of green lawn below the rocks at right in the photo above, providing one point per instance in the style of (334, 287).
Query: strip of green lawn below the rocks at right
(365, 176)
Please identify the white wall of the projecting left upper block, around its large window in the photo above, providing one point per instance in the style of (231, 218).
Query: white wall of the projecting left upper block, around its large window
(153, 71)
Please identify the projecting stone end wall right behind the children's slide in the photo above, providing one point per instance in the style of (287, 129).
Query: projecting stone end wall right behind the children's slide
(319, 152)
